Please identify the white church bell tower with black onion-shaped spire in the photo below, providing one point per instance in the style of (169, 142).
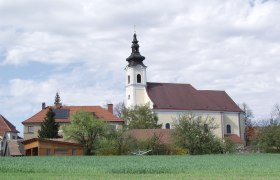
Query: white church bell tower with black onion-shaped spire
(136, 81)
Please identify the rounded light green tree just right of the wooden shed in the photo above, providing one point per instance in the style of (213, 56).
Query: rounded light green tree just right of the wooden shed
(85, 128)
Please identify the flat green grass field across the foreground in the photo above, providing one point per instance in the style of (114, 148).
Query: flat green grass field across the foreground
(246, 166)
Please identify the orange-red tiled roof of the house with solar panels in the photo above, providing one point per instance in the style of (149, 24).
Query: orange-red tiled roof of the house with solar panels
(97, 110)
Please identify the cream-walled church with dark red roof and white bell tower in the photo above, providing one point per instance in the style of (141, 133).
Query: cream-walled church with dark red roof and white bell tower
(170, 100)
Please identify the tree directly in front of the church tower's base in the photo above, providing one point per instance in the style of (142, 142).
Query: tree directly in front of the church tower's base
(140, 117)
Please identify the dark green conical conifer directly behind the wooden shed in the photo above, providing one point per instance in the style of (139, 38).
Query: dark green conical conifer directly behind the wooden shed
(49, 128)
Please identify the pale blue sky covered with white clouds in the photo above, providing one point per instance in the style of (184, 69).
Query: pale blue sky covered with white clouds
(79, 48)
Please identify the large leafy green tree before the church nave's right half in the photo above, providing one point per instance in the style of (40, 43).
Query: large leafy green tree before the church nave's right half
(196, 134)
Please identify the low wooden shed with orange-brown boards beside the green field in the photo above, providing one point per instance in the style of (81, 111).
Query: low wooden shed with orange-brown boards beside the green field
(52, 147)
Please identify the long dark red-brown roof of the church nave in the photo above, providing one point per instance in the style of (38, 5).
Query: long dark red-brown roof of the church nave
(186, 97)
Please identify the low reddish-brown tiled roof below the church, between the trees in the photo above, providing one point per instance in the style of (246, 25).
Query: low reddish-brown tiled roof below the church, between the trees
(164, 135)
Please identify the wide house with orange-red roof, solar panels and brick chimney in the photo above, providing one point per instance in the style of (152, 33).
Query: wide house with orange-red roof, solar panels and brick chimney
(62, 116)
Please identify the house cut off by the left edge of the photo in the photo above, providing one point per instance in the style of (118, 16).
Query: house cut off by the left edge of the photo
(7, 132)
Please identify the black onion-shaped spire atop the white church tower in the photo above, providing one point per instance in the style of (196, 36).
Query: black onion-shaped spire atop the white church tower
(135, 58)
